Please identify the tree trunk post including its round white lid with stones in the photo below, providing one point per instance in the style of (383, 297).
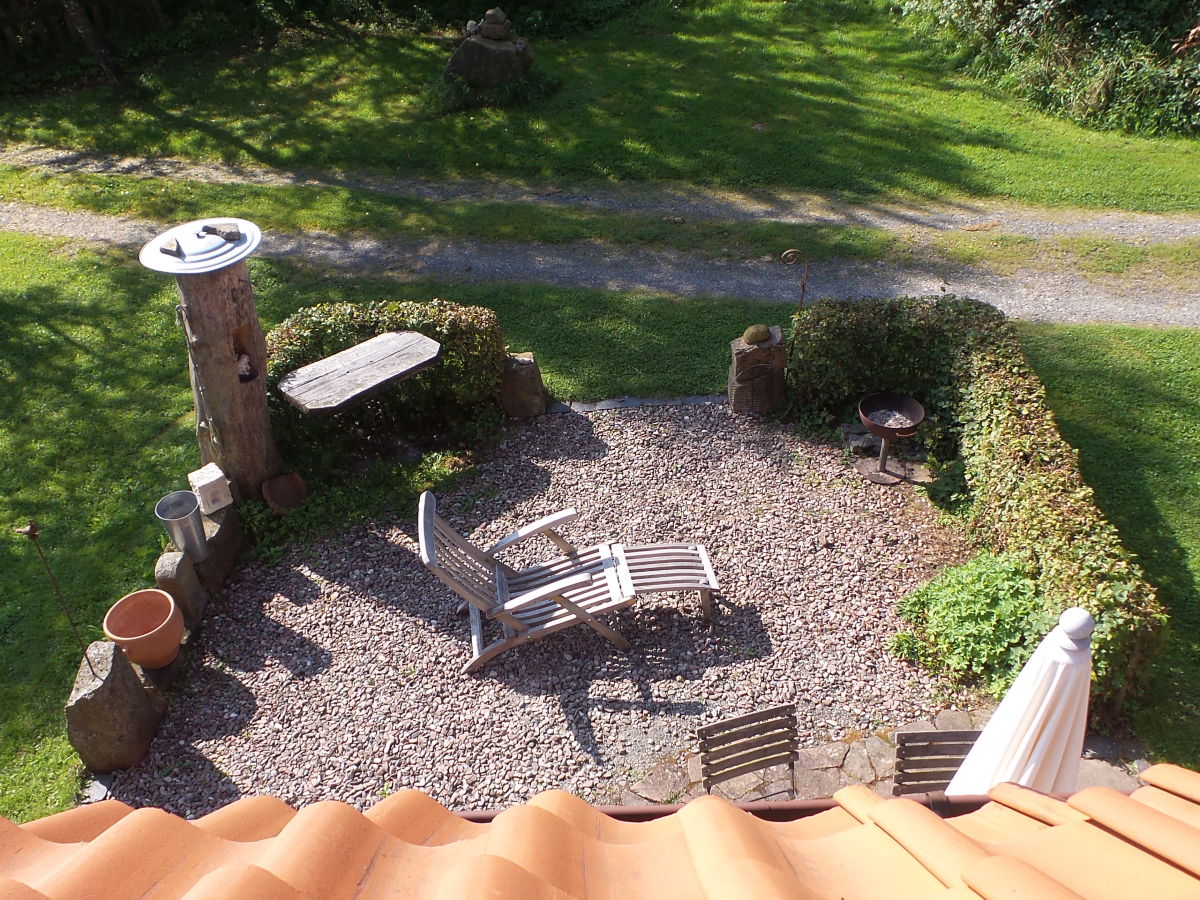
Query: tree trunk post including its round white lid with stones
(226, 347)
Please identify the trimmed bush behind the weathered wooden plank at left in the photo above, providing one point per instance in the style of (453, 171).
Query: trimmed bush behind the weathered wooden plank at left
(455, 401)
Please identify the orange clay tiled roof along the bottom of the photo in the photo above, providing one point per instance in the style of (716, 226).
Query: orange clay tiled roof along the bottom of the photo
(1099, 844)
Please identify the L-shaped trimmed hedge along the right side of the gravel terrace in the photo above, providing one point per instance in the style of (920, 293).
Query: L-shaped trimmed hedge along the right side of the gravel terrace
(1027, 497)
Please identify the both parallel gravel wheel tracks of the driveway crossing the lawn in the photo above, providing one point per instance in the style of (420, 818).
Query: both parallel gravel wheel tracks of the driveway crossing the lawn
(1034, 295)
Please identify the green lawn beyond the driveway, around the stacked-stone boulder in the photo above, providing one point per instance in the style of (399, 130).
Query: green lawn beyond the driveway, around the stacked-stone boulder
(835, 97)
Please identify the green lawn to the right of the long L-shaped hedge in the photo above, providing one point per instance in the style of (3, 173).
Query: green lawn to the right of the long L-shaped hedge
(1130, 400)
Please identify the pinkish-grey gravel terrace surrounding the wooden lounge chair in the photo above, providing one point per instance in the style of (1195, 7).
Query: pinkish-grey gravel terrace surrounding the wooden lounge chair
(338, 674)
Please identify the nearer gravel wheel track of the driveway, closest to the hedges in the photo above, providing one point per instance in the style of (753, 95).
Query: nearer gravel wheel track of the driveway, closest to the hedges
(1037, 296)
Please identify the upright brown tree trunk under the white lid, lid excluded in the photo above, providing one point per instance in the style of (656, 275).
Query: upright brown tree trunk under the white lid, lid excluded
(229, 373)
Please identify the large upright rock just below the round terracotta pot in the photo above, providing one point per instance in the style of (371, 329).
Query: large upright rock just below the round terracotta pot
(112, 715)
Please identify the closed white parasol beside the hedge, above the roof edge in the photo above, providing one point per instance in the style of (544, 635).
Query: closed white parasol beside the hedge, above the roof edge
(1036, 736)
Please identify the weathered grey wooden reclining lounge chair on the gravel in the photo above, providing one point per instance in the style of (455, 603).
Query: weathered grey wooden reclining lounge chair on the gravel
(578, 586)
